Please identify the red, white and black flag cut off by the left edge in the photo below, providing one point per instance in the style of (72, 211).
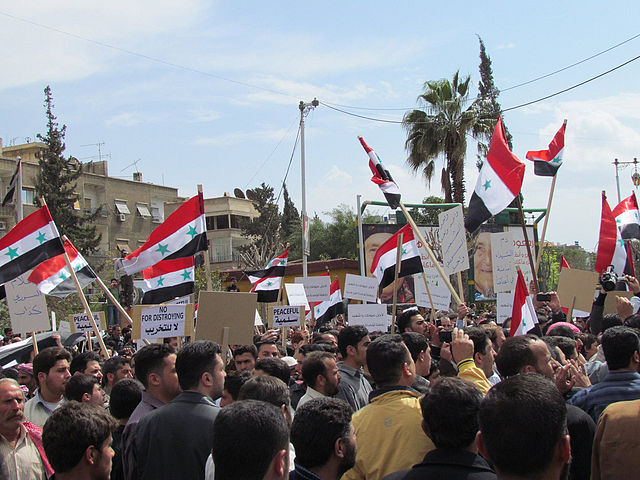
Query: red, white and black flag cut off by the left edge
(28, 244)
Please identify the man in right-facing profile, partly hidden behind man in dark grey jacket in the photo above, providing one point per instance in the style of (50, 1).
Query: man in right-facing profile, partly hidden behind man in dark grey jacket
(156, 370)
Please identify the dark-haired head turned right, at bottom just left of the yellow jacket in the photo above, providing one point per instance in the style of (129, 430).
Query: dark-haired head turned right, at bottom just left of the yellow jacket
(324, 440)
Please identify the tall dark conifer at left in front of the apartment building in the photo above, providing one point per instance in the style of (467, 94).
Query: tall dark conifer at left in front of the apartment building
(56, 182)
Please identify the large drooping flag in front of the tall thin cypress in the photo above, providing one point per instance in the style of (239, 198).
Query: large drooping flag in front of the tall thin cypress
(499, 182)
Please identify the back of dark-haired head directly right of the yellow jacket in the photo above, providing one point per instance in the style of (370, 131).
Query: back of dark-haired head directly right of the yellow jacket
(450, 413)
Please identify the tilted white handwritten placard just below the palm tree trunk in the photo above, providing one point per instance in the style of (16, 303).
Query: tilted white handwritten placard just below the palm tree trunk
(453, 240)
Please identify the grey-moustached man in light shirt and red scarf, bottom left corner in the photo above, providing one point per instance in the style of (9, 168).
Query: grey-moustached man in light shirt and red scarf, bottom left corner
(21, 451)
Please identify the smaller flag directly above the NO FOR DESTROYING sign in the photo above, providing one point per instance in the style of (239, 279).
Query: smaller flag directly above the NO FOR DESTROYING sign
(167, 280)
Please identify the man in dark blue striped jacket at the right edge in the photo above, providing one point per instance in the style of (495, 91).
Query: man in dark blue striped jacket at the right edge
(622, 352)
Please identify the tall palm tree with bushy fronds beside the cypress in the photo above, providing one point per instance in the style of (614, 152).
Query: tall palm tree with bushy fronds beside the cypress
(440, 128)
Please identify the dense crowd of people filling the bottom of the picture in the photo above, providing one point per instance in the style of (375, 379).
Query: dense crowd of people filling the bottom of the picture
(448, 395)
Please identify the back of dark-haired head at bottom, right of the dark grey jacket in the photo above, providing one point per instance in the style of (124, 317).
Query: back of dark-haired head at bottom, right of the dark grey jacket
(267, 456)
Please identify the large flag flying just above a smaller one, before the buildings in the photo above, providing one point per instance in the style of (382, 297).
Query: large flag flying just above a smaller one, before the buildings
(183, 234)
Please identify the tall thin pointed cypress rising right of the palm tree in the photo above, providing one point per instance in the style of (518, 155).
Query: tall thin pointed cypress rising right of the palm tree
(488, 105)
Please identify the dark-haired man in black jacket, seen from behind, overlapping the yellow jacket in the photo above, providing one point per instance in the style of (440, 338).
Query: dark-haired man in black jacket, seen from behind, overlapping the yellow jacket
(450, 419)
